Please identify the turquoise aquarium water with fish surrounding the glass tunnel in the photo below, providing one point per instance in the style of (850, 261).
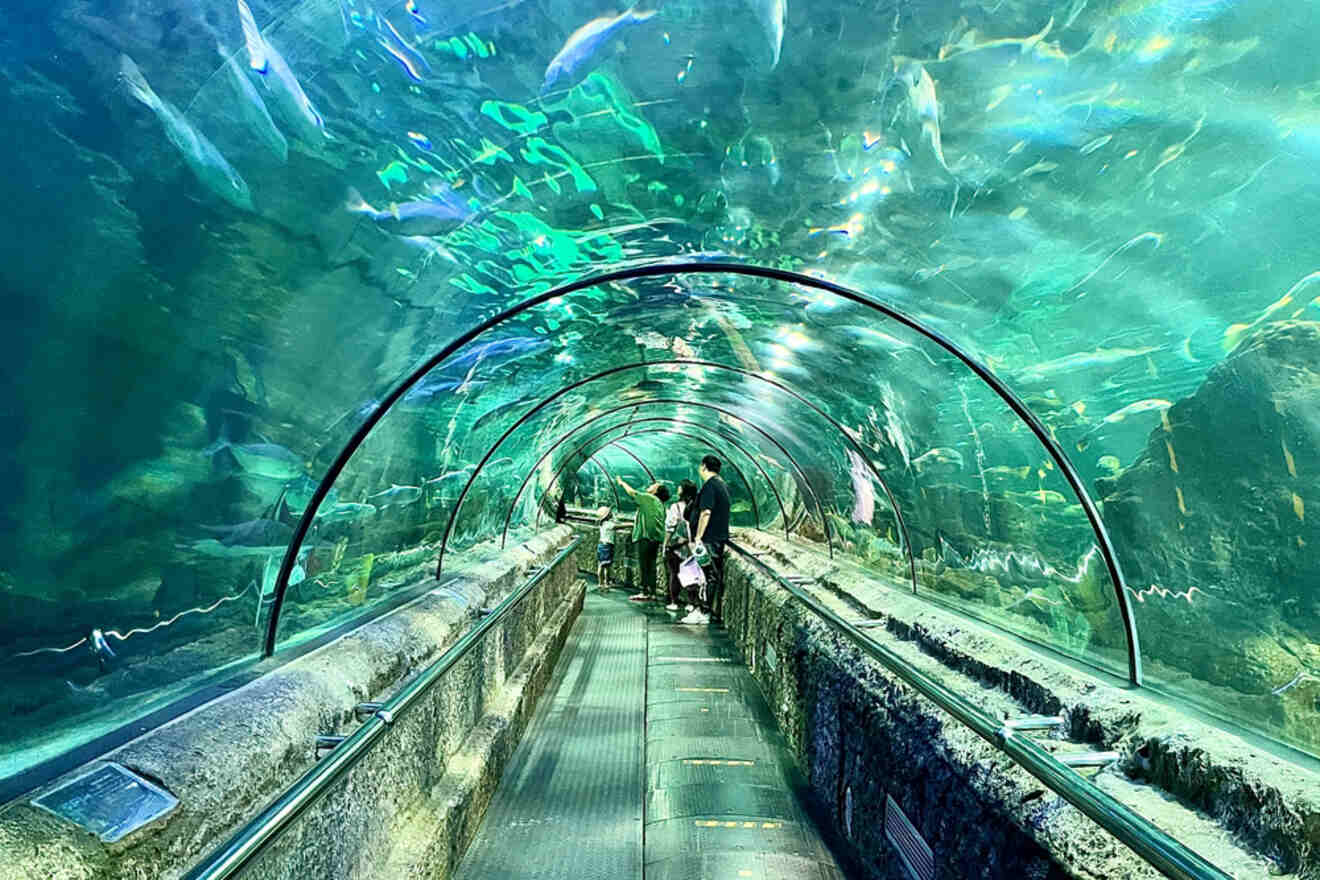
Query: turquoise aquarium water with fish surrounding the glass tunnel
(225, 247)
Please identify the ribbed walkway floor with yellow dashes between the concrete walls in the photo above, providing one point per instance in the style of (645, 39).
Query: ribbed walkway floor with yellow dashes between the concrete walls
(651, 749)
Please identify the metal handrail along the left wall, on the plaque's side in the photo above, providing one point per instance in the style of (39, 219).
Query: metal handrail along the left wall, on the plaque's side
(228, 861)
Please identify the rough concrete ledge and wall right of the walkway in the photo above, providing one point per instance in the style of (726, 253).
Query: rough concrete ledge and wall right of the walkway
(861, 734)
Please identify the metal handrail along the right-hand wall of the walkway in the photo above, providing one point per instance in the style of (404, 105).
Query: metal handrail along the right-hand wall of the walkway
(1162, 852)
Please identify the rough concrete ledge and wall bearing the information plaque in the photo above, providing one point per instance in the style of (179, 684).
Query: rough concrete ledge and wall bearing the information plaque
(228, 759)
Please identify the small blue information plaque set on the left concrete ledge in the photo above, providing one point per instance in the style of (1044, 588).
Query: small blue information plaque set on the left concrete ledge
(110, 801)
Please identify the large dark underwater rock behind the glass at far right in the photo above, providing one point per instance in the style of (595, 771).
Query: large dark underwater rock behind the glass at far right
(1211, 520)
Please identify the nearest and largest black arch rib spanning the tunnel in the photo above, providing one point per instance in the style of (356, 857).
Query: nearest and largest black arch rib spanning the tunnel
(700, 267)
